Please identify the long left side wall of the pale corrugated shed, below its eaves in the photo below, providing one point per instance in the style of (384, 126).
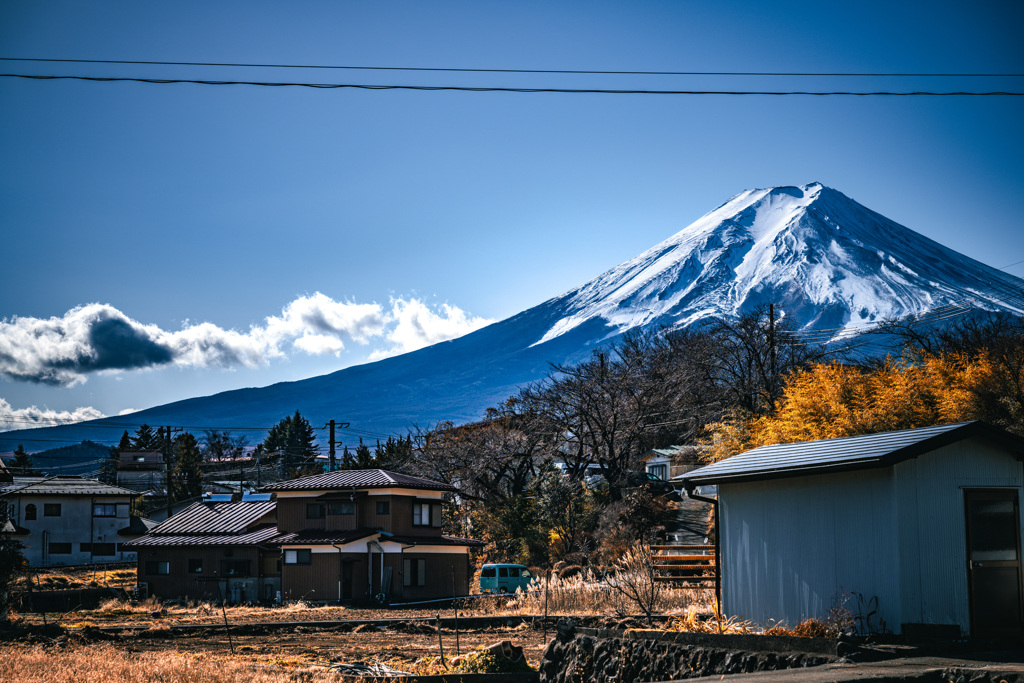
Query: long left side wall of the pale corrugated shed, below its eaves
(790, 547)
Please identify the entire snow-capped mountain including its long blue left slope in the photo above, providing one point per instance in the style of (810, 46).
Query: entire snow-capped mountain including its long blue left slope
(829, 265)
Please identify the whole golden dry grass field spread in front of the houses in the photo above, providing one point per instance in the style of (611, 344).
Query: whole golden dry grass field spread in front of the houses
(148, 648)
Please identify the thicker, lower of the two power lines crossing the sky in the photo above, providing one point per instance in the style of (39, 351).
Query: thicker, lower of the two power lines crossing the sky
(464, 89)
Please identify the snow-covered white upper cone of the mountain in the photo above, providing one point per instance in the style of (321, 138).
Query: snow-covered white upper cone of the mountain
(825, 261)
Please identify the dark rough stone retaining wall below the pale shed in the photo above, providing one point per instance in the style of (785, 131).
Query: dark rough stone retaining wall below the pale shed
(607, 656)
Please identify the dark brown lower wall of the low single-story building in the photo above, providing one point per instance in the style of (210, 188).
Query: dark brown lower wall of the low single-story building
(180, 584)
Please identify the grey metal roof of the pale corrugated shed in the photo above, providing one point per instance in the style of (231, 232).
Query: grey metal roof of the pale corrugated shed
(844, 454)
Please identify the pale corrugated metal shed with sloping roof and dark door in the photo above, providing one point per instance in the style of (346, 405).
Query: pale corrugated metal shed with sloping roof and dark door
(922, 527)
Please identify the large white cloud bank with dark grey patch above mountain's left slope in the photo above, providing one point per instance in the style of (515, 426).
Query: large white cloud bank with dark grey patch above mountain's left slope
(93, 338)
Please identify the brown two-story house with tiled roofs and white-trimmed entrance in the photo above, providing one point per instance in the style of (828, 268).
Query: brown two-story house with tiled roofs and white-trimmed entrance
(360, 535)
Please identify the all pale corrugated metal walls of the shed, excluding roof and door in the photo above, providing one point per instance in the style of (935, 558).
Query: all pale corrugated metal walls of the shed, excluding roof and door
(897, 535)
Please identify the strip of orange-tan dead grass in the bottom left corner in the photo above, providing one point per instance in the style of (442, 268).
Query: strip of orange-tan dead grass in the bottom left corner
(106, 664)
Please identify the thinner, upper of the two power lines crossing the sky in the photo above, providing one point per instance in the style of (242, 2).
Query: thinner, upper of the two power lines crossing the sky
(516, 71)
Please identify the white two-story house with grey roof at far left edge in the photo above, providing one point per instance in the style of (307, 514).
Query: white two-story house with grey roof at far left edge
(71, 521)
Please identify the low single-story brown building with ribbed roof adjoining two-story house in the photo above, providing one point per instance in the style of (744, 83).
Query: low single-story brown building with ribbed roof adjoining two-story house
(212, 551)
